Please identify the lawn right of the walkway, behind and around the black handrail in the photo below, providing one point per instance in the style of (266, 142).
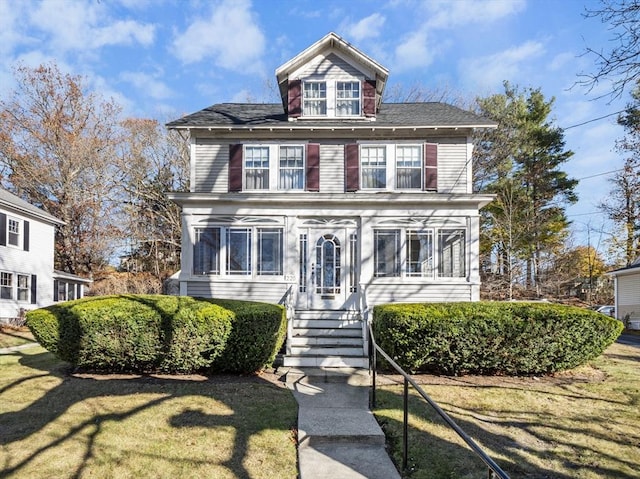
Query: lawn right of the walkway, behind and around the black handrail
(581, 424)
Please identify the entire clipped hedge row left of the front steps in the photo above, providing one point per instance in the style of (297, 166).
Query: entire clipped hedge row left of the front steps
(155, 333)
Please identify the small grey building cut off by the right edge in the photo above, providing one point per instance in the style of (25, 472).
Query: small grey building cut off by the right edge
(627, 294)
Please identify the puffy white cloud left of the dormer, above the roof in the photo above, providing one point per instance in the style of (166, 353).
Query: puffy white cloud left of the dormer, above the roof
(229, 36)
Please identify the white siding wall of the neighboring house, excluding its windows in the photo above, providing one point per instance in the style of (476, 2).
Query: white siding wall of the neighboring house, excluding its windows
(38, 260)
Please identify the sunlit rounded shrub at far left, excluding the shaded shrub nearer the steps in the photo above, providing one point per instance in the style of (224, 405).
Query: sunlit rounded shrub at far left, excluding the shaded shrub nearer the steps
(136, 333)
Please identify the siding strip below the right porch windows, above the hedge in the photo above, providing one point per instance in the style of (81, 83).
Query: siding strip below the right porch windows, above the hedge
(380, 293)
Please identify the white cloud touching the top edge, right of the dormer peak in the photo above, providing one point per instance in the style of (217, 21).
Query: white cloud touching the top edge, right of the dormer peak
(449, 14)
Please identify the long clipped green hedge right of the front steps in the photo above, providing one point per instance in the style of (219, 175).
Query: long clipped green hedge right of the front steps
(492, 337)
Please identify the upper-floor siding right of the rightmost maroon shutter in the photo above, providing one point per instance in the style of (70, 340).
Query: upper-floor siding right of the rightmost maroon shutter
(452, 166)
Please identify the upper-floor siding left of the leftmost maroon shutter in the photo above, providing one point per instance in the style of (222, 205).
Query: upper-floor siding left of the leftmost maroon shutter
(211, 167)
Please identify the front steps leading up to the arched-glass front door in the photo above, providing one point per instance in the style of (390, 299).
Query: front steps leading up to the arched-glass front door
(326, 339)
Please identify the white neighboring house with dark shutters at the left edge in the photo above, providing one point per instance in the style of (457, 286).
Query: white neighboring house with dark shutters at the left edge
(27, 277)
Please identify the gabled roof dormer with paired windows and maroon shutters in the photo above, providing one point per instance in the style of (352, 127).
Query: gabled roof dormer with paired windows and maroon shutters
(331, 79)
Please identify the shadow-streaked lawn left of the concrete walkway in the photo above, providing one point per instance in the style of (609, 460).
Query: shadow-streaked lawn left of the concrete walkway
(58, 424)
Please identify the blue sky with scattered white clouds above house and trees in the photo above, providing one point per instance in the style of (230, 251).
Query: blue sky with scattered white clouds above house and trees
(162, 58)
